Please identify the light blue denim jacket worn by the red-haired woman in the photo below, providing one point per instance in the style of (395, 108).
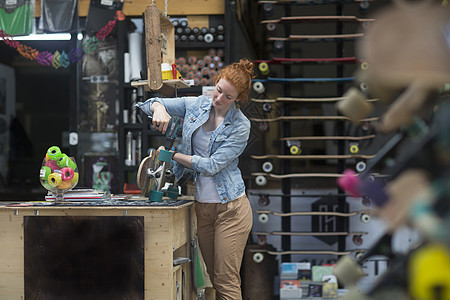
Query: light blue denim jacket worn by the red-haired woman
(227, 142)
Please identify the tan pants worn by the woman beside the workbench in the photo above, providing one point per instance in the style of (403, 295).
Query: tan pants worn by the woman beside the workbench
(223, 231)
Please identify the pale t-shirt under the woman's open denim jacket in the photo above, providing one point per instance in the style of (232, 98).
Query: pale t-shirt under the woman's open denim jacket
(205, 188)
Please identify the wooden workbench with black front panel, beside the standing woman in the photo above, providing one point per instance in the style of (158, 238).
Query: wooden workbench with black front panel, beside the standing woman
(168, 231)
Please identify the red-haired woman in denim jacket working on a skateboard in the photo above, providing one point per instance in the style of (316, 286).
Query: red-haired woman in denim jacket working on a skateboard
(215, 133)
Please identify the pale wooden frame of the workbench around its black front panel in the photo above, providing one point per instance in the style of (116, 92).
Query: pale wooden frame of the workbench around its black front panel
(168, 232)
